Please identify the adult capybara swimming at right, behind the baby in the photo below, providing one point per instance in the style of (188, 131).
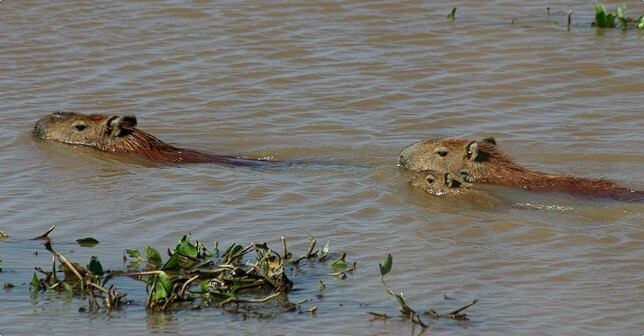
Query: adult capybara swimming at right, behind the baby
(486, 163)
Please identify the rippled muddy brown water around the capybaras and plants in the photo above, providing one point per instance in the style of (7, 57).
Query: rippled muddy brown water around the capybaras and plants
(350, 83)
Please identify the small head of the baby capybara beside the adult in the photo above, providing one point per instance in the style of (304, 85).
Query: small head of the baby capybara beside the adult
(439, 183)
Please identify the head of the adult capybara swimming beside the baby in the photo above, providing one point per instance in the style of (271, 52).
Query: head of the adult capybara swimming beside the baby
(451, 155)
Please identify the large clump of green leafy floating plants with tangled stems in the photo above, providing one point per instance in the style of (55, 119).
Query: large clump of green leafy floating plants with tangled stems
(191, 276)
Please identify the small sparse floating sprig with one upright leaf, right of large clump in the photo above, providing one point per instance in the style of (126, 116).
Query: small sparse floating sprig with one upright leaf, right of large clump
(408, 312)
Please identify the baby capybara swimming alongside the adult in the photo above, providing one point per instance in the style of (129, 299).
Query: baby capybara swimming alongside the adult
(453, 186)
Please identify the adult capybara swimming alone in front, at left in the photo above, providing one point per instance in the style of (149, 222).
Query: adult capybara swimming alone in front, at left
(118, 134)
